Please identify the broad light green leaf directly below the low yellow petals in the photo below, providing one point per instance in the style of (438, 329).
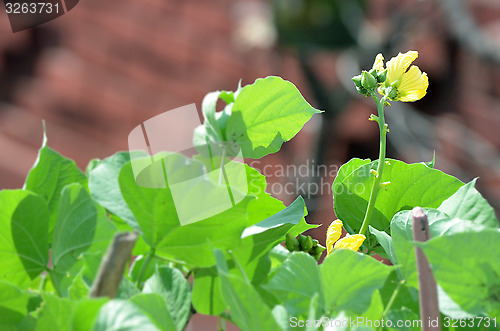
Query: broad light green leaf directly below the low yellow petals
(349, 280)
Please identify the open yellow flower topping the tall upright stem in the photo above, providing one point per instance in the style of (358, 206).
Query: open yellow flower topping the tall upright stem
(401, 84)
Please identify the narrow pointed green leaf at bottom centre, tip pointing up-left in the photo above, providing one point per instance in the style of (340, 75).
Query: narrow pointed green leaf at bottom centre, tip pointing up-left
(247, 308)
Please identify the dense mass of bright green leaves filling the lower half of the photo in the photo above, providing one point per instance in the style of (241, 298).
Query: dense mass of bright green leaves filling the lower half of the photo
(231, 263)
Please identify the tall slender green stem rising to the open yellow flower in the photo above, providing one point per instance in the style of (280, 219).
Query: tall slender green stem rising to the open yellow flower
(380, 167)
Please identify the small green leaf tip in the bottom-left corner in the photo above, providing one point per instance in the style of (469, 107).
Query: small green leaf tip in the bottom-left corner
(13, 304)
